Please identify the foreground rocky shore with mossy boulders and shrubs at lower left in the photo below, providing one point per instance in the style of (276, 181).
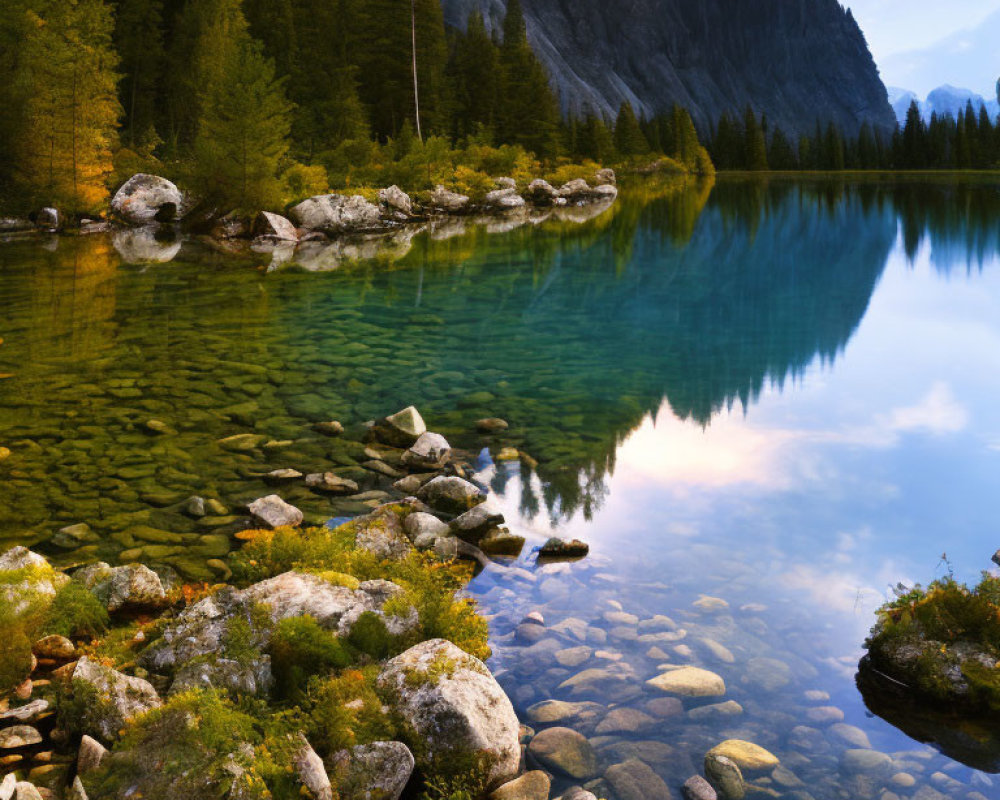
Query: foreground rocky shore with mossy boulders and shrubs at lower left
(136, 649)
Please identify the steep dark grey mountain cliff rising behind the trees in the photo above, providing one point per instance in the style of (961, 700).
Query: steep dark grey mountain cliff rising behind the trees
(798, 61)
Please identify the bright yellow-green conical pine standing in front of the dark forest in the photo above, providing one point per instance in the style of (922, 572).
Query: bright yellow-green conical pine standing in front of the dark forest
(243, 127)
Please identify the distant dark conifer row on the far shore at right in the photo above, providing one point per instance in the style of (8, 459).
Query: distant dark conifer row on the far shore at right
(946, 142)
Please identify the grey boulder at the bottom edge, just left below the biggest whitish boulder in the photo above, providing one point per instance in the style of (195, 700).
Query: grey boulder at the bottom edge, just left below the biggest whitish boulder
(376, 771)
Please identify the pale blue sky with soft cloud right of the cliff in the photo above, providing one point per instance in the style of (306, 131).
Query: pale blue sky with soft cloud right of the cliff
(899, 29)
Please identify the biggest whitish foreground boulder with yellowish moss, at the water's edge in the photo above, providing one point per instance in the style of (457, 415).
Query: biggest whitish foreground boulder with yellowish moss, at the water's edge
(454, 707)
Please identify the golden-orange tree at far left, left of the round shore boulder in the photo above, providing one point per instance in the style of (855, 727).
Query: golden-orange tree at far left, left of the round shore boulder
(70, 117)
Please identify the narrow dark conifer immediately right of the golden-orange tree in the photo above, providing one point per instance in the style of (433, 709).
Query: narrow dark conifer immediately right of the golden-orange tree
(139, 41)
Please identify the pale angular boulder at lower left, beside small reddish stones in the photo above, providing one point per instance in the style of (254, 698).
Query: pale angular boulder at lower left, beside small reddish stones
(117, 698)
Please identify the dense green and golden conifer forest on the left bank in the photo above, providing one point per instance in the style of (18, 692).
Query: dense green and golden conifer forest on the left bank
(252, 102)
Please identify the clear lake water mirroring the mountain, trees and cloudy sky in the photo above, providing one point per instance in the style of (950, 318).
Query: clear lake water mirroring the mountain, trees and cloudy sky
(780, 396)
